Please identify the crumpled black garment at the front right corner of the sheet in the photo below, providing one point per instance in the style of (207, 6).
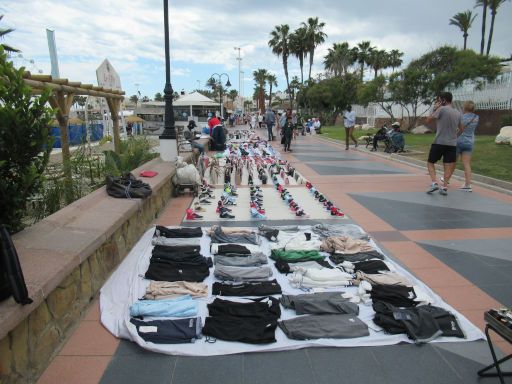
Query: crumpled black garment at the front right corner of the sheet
(422, 324)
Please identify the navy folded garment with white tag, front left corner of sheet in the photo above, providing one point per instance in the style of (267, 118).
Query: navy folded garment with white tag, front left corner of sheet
(169, 331)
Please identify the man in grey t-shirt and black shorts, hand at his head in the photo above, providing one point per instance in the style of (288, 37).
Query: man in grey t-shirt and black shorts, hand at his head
(448, 122)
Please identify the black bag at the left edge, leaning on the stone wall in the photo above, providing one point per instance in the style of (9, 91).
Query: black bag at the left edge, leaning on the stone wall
(11, 275)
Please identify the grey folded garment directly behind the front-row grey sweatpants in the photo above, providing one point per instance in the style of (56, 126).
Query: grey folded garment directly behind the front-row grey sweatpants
(319, 303)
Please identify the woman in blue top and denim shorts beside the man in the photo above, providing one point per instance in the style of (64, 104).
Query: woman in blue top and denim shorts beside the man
(466, 142)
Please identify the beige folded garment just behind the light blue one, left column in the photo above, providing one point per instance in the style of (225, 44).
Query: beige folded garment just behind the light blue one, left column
(157, 290)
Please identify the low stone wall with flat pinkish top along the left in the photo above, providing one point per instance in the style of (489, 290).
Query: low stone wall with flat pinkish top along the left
(66, 258)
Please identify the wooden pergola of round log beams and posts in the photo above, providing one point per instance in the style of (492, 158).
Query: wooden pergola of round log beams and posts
(63, 92)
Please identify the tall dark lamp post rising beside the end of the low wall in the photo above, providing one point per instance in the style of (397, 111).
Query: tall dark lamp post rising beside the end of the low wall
(168, 144)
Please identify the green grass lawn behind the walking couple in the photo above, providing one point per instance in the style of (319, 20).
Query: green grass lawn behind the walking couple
(489, 159)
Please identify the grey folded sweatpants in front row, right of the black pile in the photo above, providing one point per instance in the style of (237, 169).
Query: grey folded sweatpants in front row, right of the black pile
(324, 327)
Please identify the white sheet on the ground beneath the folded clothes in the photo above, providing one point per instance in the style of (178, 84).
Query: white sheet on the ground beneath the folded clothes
(126, 285)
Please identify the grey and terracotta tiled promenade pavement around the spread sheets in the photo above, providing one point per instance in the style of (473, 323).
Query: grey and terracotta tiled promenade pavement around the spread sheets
(459, 245)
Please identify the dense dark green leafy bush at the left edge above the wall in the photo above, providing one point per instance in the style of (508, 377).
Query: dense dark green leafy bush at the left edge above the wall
(25, 142)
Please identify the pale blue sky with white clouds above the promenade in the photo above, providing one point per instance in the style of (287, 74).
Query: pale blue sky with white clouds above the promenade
(205, 32)
